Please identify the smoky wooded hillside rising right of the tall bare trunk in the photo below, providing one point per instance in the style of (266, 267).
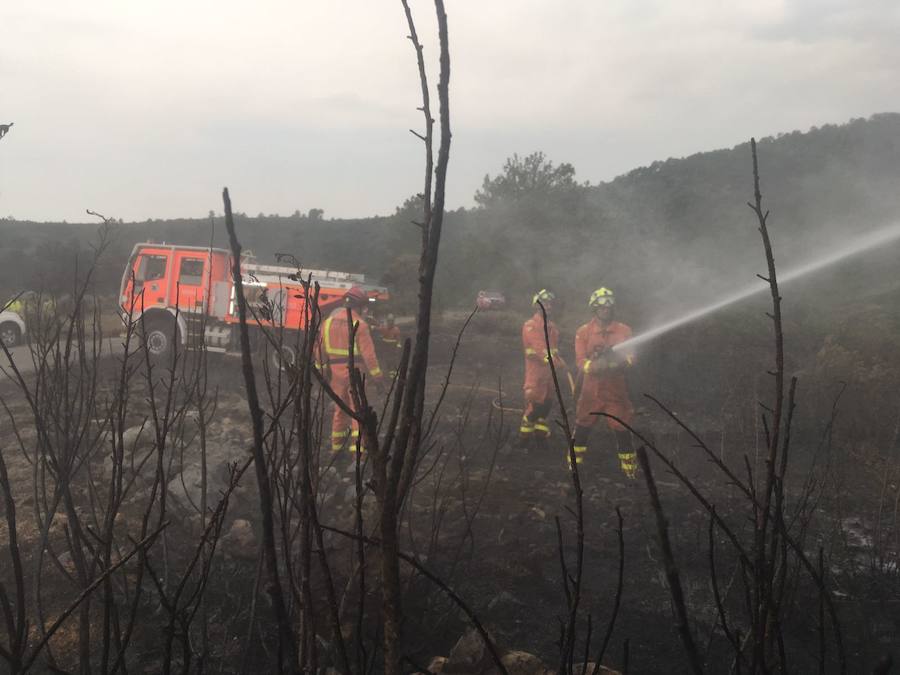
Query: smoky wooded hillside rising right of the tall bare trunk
(681, 228)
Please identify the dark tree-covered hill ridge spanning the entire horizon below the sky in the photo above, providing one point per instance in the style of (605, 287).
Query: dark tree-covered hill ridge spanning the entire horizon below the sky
(652, 231)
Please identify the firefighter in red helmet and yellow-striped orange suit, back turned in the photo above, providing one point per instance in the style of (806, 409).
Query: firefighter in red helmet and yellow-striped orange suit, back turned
(335, 353)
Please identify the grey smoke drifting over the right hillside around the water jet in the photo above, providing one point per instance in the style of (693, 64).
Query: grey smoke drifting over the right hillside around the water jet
(678, 236)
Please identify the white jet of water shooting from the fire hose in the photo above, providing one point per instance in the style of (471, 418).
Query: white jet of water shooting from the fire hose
(864, 243)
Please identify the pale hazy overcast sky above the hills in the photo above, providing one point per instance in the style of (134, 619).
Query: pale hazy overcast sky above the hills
(145, 109)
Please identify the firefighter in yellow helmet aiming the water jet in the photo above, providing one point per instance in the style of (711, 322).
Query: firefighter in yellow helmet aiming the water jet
(603, 386)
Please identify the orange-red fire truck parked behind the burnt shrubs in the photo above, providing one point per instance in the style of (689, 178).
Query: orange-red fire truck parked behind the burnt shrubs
(187, 294)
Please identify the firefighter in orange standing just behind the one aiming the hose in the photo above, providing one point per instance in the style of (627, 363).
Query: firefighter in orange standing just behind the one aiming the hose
(538, 388)
